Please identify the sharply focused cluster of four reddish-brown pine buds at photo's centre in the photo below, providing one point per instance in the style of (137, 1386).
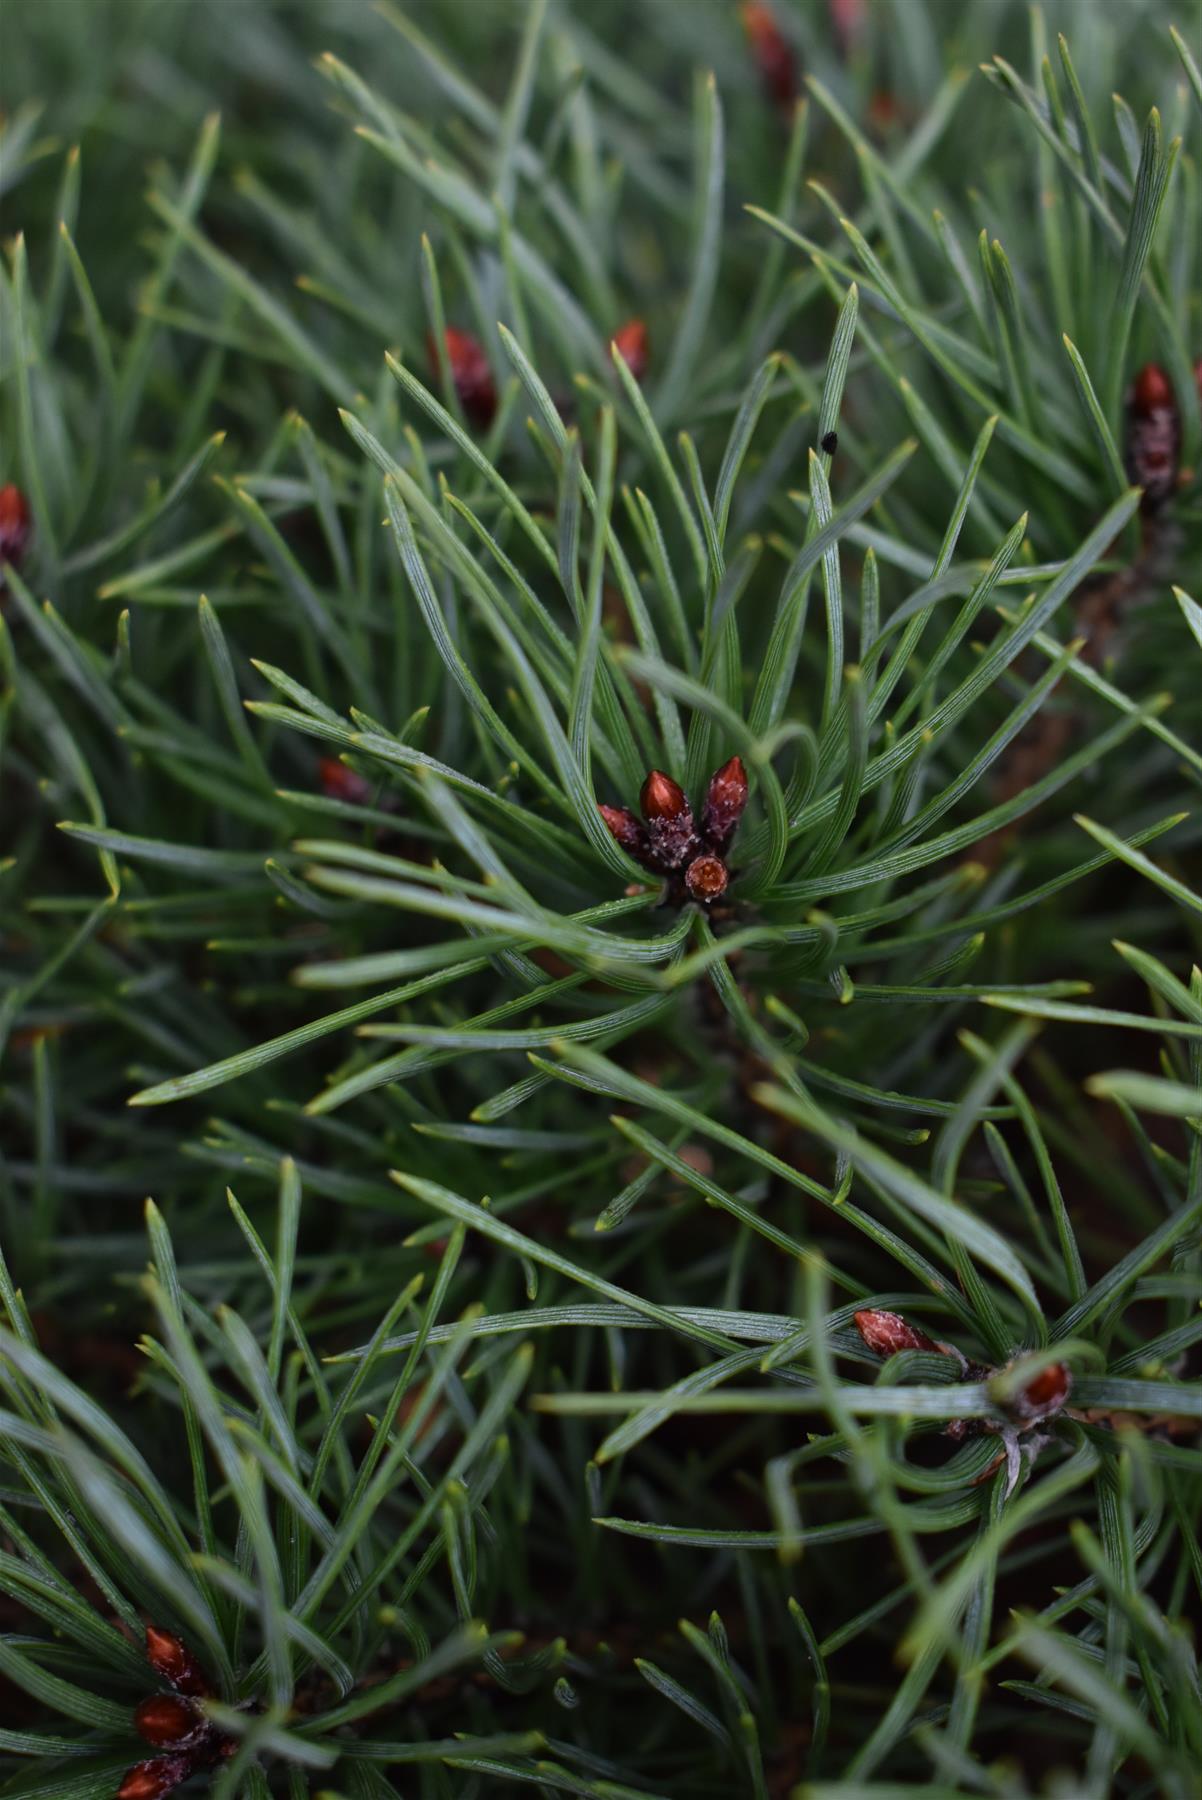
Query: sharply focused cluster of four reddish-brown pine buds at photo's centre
(668, 841)
